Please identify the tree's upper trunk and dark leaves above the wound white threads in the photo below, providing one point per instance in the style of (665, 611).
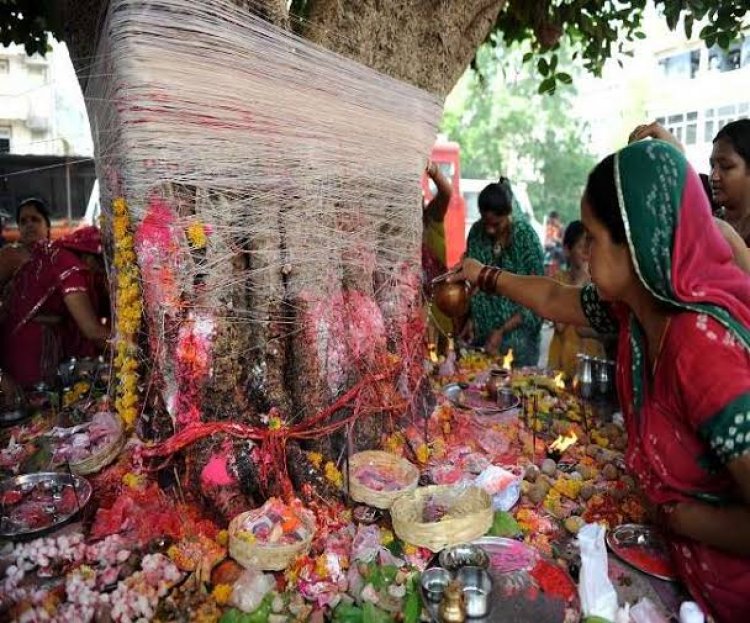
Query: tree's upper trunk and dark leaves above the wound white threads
(428, 44)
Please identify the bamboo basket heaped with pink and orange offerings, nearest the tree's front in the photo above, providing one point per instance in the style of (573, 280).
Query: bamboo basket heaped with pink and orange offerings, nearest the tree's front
(267, 556)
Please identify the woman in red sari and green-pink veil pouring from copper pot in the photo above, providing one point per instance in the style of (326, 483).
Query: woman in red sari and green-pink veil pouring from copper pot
(665, 279)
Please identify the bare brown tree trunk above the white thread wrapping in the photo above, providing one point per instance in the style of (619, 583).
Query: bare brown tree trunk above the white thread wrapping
(424, 42)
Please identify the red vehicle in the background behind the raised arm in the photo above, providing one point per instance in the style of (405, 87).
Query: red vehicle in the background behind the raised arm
(446, 154)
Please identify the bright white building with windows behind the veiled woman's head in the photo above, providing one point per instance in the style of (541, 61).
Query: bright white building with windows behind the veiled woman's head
(691, 90)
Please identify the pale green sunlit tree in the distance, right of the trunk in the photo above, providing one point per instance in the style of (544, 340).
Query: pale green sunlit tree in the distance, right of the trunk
(504, 126)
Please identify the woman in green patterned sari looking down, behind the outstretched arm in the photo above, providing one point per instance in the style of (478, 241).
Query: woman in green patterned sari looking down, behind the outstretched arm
(500, 240)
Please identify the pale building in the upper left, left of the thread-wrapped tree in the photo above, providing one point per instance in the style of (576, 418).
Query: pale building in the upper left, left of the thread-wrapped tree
(41, 104)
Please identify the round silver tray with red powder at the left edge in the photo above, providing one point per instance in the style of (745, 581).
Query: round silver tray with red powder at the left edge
(81, 486)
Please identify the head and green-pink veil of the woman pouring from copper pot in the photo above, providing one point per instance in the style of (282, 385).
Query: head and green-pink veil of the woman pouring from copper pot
(650, 223)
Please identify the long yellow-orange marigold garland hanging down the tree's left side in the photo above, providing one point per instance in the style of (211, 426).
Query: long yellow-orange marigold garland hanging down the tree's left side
(128, 308)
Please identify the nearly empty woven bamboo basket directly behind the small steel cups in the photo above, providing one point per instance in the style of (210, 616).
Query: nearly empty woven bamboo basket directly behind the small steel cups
(468, 518)
